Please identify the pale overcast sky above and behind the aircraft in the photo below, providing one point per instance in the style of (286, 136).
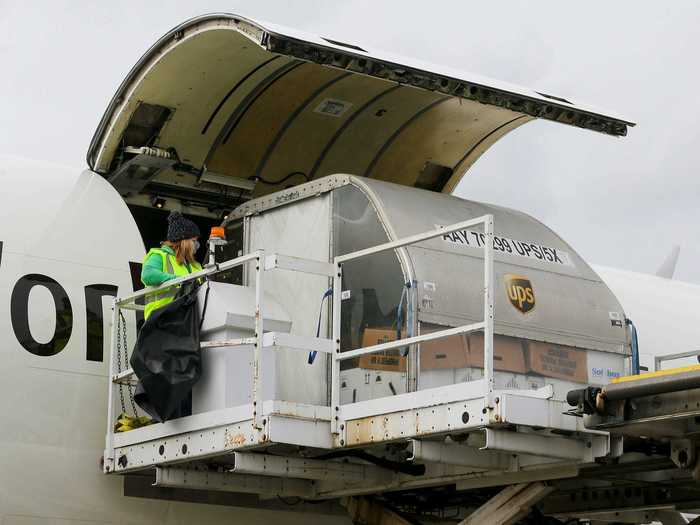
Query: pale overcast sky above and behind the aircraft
(619, 202)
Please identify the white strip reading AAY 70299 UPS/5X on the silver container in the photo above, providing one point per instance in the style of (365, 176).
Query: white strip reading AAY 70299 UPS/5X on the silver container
(530, 250)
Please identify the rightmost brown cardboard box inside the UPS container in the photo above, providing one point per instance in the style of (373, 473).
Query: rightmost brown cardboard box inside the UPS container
(558, 361)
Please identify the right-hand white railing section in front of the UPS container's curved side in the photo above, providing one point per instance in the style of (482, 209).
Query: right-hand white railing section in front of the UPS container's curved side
(486, 325)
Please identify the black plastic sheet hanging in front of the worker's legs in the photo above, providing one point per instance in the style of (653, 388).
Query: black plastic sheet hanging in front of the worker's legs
(166, 358)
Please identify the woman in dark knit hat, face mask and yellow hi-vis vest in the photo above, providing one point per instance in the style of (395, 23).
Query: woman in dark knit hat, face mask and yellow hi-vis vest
(174, 258)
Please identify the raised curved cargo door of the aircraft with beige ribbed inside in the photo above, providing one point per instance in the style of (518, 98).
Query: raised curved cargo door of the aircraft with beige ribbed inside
(223, 109)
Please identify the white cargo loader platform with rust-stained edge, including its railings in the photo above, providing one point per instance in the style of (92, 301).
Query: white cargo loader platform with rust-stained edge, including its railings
(455, 433)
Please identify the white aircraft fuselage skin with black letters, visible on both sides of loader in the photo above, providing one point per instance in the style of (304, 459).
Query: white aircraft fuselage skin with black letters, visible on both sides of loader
(75, 230)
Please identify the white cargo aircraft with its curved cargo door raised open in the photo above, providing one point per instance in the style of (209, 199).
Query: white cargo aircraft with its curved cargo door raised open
(222, 110)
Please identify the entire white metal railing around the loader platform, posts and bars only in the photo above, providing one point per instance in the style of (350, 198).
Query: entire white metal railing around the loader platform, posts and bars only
(332, 346)
